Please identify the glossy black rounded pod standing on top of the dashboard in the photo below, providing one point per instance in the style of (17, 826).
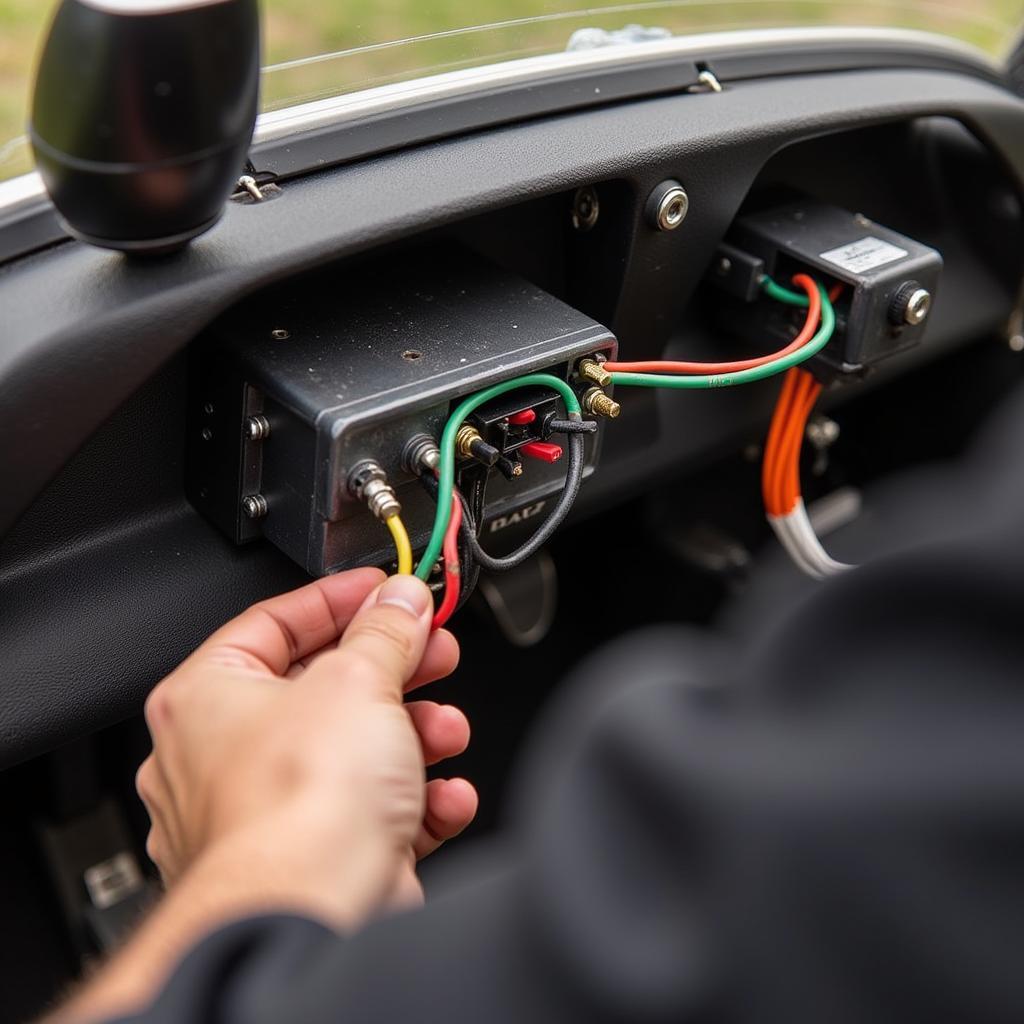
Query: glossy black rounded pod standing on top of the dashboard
(143, 116)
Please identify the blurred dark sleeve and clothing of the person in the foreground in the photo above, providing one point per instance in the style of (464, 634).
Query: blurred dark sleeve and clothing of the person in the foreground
(829, 828)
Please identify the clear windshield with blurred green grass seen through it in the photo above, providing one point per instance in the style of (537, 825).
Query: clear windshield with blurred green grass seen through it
(318, 49)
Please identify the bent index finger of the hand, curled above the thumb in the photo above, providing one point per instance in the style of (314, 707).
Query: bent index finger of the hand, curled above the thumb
(274, 634)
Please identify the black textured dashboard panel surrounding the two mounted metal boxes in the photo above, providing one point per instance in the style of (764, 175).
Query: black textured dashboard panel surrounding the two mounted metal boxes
(108, 574)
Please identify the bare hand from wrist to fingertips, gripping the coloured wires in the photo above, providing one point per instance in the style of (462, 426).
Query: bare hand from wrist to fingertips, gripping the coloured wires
(285, 760)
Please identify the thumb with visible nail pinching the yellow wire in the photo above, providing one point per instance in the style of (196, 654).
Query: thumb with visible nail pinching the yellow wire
(385, 644)
